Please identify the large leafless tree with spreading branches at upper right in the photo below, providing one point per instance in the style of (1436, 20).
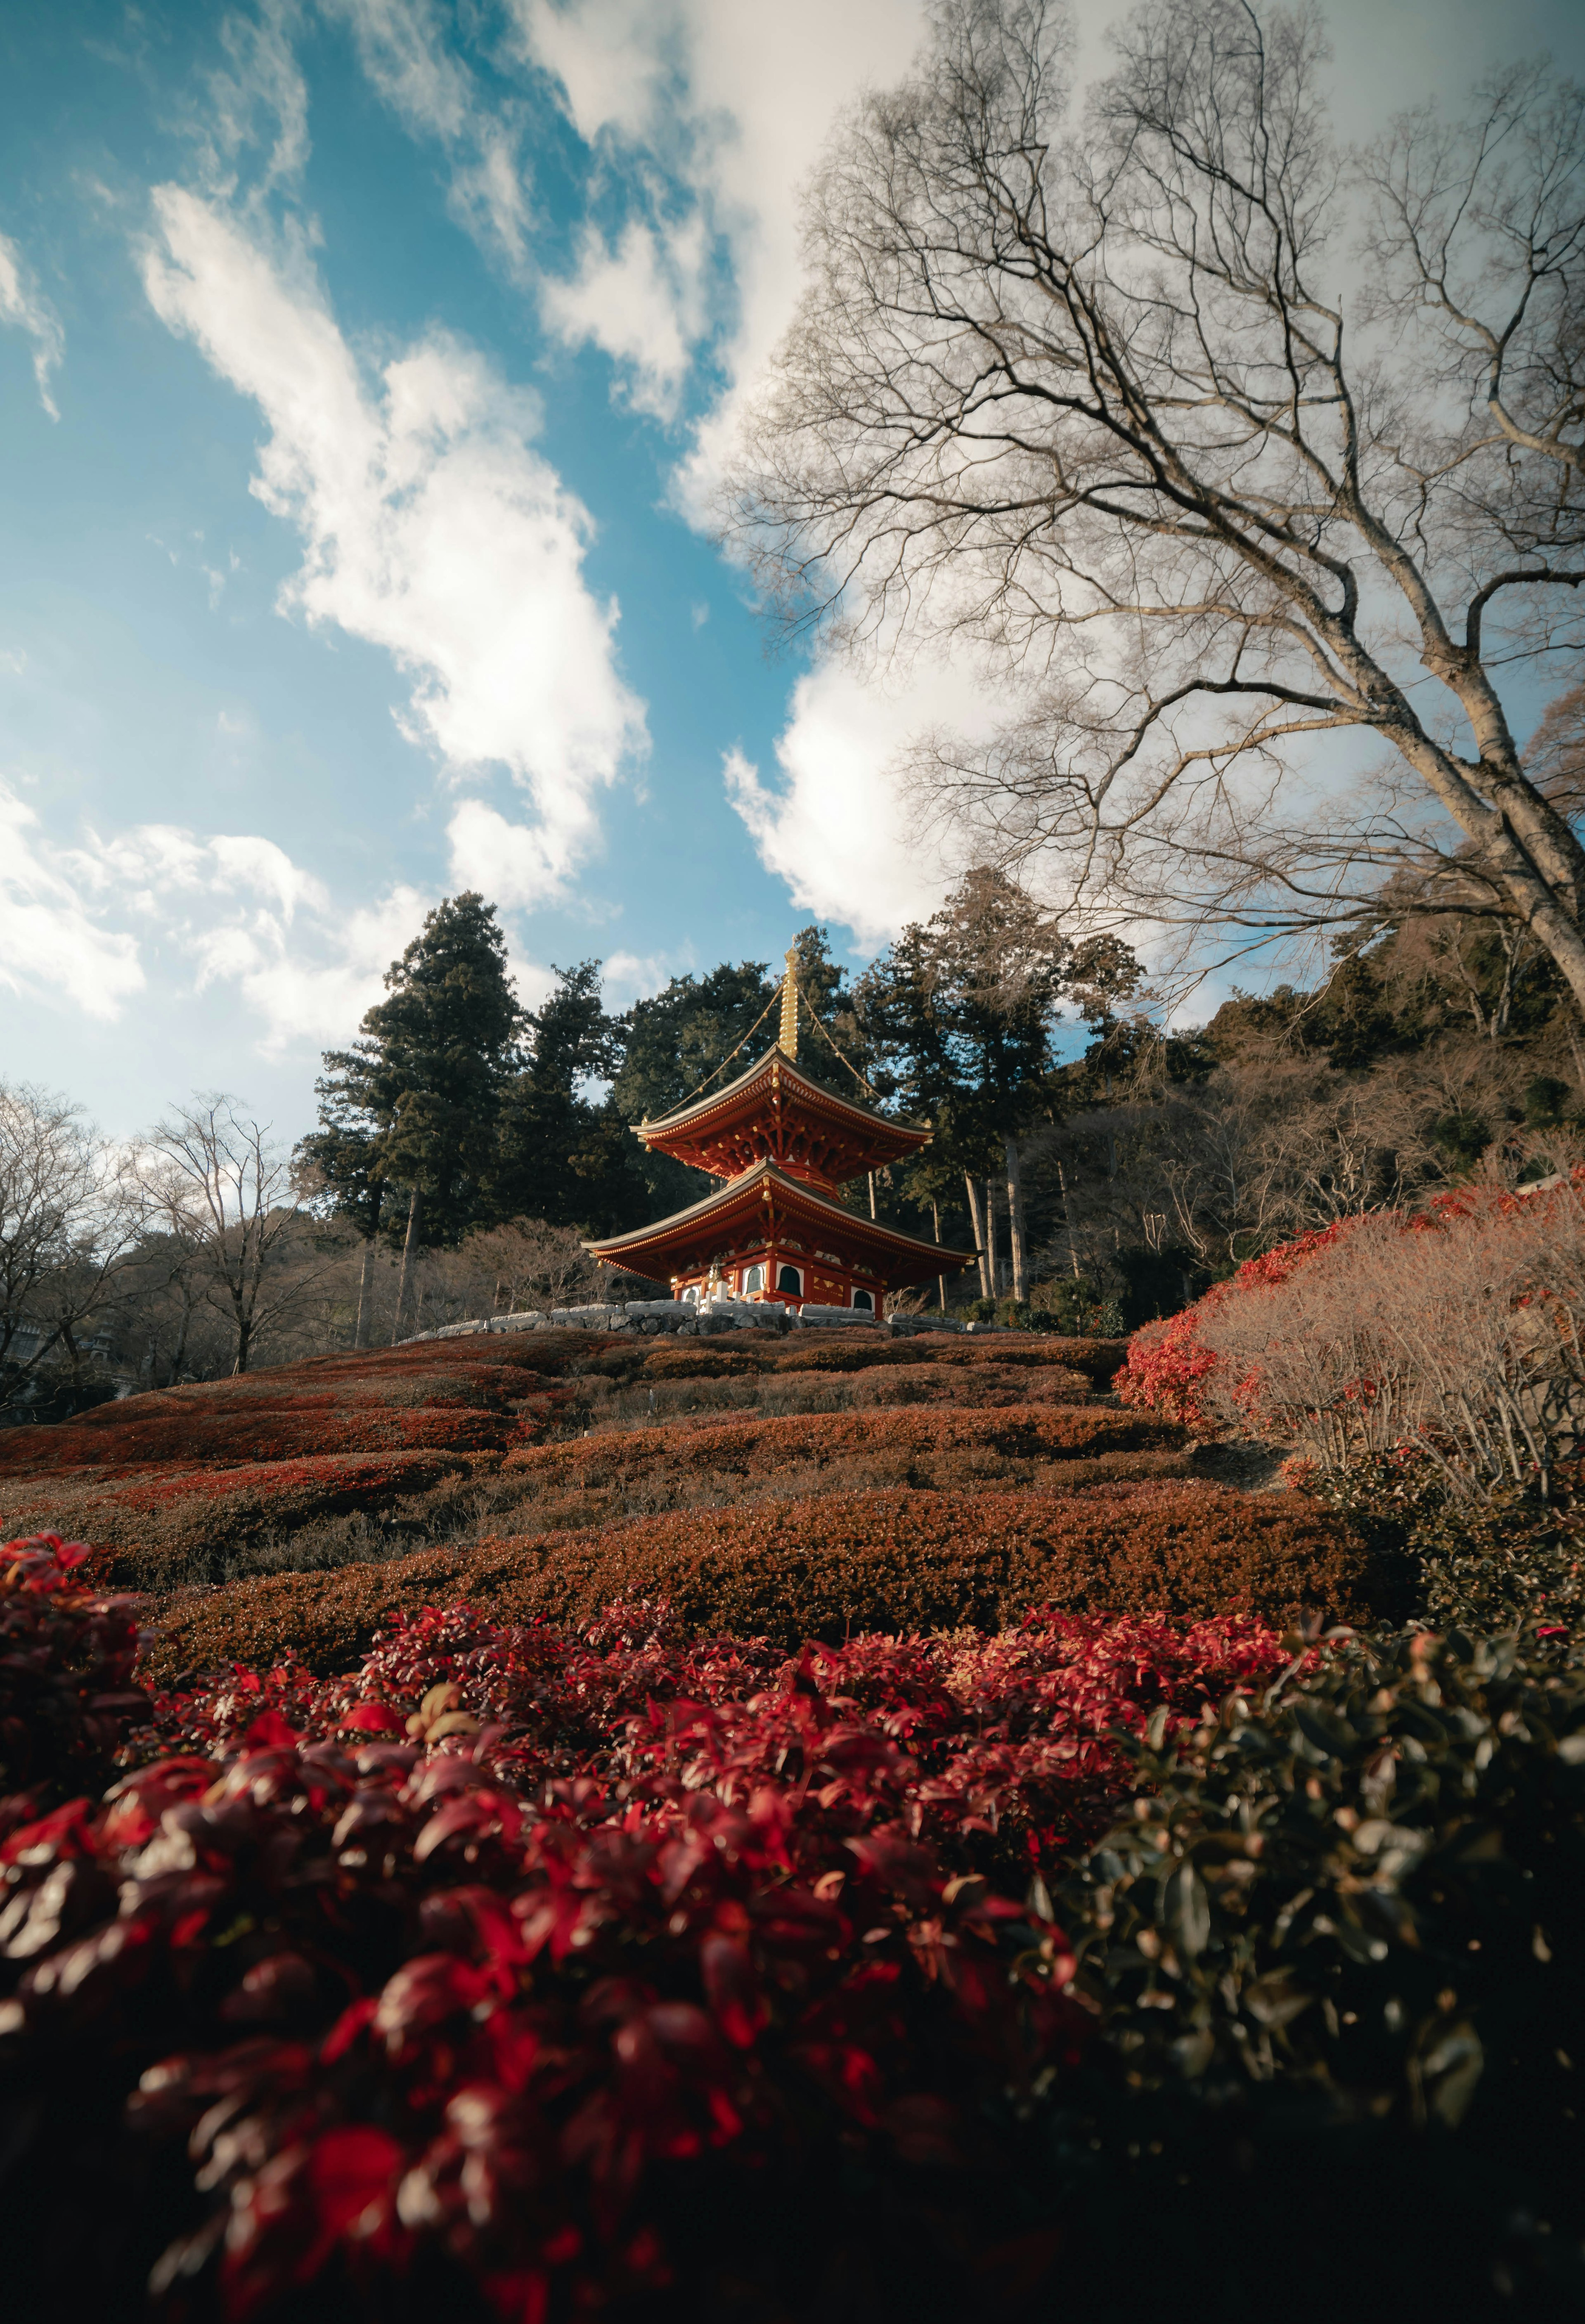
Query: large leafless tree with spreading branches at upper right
(1089, 399)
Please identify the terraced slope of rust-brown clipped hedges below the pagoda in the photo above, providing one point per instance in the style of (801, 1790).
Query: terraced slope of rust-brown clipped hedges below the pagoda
(784, 1489)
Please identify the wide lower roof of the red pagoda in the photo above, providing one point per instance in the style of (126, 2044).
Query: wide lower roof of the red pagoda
(766, 1207)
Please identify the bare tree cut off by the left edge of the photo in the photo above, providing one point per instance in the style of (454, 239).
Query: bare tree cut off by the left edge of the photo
(69, 1226)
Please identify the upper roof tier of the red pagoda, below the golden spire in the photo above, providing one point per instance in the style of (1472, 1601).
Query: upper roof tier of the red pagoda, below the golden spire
(777, 1112)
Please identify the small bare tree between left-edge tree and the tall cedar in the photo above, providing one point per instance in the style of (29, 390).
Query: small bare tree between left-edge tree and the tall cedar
(227, 1198)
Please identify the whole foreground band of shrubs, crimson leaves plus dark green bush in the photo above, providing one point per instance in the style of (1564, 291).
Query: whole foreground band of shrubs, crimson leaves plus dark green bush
(540, 1972)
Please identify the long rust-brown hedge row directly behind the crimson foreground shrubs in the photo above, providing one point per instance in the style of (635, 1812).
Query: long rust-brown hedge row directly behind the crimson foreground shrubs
(822, 1570)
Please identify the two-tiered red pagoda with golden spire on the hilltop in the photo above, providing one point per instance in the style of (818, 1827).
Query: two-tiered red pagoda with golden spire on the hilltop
(775, 1228)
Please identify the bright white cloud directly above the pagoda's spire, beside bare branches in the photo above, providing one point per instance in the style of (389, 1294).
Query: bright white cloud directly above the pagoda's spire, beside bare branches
(838, 829)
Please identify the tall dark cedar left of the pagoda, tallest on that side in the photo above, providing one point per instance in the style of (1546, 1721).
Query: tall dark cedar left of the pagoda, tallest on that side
(413, 1107)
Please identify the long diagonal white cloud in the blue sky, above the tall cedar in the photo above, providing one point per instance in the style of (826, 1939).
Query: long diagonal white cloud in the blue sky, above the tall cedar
(431, 526)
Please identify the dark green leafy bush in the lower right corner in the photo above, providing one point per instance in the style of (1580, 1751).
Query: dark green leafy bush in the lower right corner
(1337, 1958)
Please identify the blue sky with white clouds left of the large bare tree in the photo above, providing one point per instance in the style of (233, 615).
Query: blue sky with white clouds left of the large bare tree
(364, 375)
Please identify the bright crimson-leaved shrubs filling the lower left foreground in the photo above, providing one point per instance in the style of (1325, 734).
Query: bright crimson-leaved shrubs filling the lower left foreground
(524, 1974)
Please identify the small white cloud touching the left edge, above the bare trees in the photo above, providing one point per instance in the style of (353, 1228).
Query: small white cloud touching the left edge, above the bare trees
(50, 938)
